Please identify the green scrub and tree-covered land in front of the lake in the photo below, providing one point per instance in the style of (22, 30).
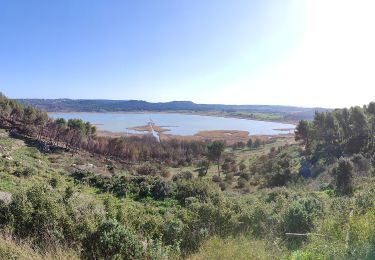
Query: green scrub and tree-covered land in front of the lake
(67, 194)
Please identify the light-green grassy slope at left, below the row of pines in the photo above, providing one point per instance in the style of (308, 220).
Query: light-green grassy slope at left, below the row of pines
(42, 168)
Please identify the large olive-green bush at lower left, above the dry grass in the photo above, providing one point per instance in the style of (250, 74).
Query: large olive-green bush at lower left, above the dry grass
(46, 217)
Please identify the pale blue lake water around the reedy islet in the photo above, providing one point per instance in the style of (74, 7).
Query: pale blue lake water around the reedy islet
(179, 124)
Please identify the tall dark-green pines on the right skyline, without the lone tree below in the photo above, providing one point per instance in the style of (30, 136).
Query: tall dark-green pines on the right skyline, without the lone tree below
(340, 133)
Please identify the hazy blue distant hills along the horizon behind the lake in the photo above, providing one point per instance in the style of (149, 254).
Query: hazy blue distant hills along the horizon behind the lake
(86, 105)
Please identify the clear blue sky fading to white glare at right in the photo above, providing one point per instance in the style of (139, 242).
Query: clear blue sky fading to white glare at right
(276, 52)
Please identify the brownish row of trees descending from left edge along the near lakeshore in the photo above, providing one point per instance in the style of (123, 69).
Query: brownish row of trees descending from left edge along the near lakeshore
(76, 134)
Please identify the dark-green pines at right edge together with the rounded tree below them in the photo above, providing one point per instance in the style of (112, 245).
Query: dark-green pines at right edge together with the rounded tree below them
(344, 138)
